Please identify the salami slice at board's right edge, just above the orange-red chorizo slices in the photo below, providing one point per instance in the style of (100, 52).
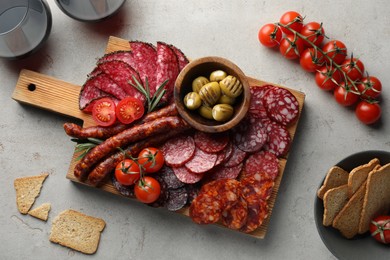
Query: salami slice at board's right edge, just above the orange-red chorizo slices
(263, 162)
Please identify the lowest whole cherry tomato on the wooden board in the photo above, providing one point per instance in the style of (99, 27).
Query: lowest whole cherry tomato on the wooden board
(147, 190)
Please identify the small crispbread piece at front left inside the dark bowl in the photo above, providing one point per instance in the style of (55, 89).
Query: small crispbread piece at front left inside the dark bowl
(334, 201)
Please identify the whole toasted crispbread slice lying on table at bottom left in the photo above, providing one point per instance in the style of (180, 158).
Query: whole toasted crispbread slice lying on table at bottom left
(77, 231)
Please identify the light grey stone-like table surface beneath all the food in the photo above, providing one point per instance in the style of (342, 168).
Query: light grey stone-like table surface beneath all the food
(33, 140)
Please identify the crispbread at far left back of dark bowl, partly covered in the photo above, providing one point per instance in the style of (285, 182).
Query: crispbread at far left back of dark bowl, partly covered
(335, 177)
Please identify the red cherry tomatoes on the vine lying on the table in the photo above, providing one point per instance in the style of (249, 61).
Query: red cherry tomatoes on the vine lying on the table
(334, 71)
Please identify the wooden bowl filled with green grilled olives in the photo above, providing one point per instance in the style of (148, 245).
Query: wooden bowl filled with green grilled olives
(212, 94)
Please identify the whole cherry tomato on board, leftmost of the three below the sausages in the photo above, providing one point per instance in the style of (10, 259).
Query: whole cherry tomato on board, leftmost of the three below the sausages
(127, 172)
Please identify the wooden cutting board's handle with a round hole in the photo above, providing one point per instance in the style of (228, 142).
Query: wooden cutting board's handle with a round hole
(49, 93)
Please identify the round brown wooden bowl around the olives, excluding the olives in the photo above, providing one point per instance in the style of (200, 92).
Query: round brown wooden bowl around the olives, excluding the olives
(204, 67)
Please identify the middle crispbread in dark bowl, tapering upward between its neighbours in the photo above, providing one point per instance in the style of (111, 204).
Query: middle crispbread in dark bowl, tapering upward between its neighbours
(347, 221)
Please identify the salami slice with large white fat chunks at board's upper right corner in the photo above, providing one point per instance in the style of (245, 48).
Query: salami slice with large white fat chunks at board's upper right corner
(281, 105)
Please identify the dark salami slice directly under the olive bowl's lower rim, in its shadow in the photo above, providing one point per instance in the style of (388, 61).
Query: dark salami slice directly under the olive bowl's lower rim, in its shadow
(211, 143)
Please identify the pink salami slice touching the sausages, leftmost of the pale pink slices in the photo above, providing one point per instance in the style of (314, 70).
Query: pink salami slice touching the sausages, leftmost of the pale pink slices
(178, 151)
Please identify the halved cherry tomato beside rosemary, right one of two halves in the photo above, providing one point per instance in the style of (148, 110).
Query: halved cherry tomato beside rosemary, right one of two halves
(129, 109)
